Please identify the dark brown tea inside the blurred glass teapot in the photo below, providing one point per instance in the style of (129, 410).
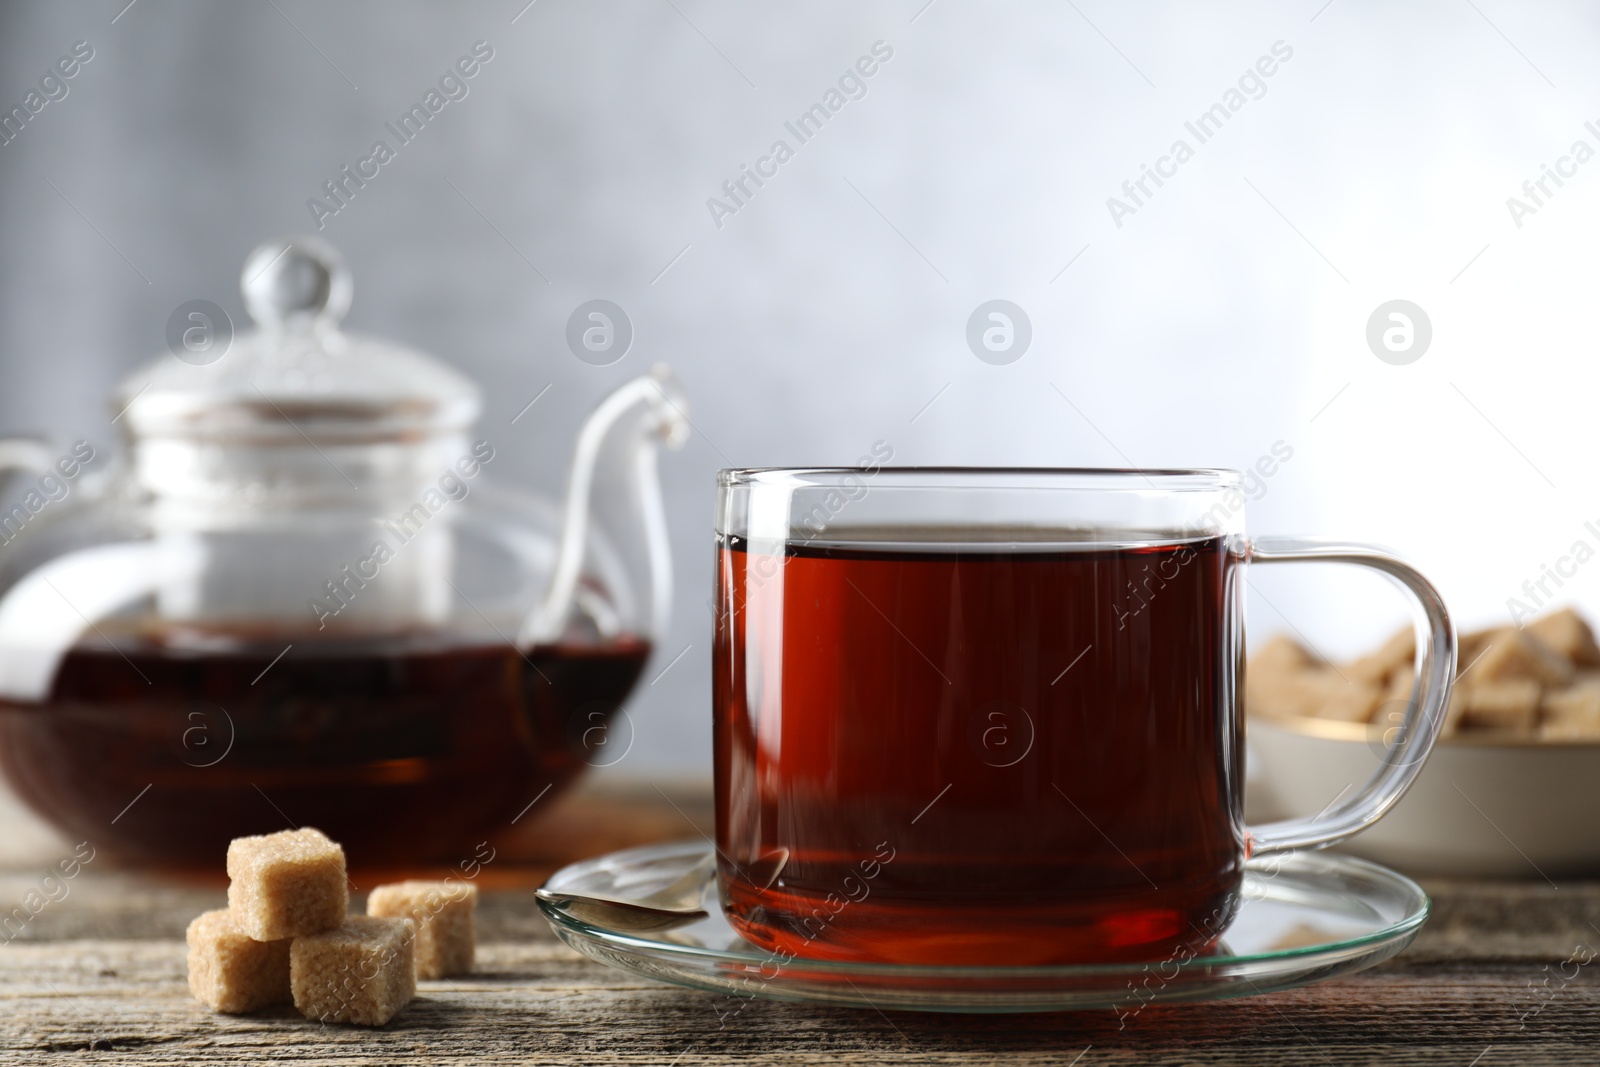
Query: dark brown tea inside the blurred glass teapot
(407, 751)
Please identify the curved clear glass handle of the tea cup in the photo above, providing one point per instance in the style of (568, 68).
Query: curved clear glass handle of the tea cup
(1436, 671)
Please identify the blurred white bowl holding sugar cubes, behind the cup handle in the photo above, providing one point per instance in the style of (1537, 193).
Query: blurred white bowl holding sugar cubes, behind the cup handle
(1490, 807)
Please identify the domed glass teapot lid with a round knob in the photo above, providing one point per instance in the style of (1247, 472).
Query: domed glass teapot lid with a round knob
(297, 377)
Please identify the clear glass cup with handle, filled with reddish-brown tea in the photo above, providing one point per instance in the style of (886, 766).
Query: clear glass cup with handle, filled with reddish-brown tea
(993, 716)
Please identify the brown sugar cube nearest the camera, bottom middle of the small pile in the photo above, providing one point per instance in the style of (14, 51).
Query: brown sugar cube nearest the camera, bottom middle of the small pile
(364, 972)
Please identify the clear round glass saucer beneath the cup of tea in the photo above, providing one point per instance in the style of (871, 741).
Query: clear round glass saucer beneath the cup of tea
(1305, 919)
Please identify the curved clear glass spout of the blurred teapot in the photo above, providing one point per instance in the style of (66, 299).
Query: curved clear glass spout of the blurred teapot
(614, 524)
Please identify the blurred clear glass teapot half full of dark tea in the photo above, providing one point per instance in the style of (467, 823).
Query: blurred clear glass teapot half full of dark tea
(300, 601)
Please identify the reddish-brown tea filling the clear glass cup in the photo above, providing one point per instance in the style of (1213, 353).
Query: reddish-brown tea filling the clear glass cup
(978, 754)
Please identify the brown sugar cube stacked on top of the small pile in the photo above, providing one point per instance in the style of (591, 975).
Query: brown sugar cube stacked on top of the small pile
(287, 885)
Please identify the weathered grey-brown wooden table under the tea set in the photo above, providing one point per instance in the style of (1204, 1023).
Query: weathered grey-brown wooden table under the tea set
(100, 977)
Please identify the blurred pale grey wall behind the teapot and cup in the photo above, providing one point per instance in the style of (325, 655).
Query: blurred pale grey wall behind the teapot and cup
(1198, 322)
